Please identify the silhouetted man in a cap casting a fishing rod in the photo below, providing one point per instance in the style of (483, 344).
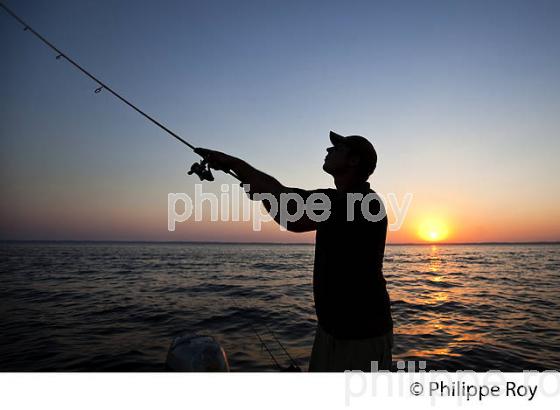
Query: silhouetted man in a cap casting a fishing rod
(351, 301)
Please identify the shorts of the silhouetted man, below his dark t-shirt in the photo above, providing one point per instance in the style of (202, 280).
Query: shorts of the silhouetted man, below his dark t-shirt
(337, 355)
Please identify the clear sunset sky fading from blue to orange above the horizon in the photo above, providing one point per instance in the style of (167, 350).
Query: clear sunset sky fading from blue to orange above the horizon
(460, 99)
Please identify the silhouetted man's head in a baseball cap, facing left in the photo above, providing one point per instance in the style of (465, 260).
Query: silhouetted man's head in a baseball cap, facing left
(350, 155)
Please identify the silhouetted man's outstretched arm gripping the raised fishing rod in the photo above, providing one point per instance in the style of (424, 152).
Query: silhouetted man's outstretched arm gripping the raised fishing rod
(259, 182)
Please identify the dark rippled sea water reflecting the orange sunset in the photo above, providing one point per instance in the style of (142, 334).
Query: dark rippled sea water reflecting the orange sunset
(117, 306)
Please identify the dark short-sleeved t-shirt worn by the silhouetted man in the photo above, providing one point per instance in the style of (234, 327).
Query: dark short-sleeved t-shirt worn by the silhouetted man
(351, 299)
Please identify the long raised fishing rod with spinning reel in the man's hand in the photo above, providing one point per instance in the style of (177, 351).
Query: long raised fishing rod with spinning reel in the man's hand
(202, 169)
